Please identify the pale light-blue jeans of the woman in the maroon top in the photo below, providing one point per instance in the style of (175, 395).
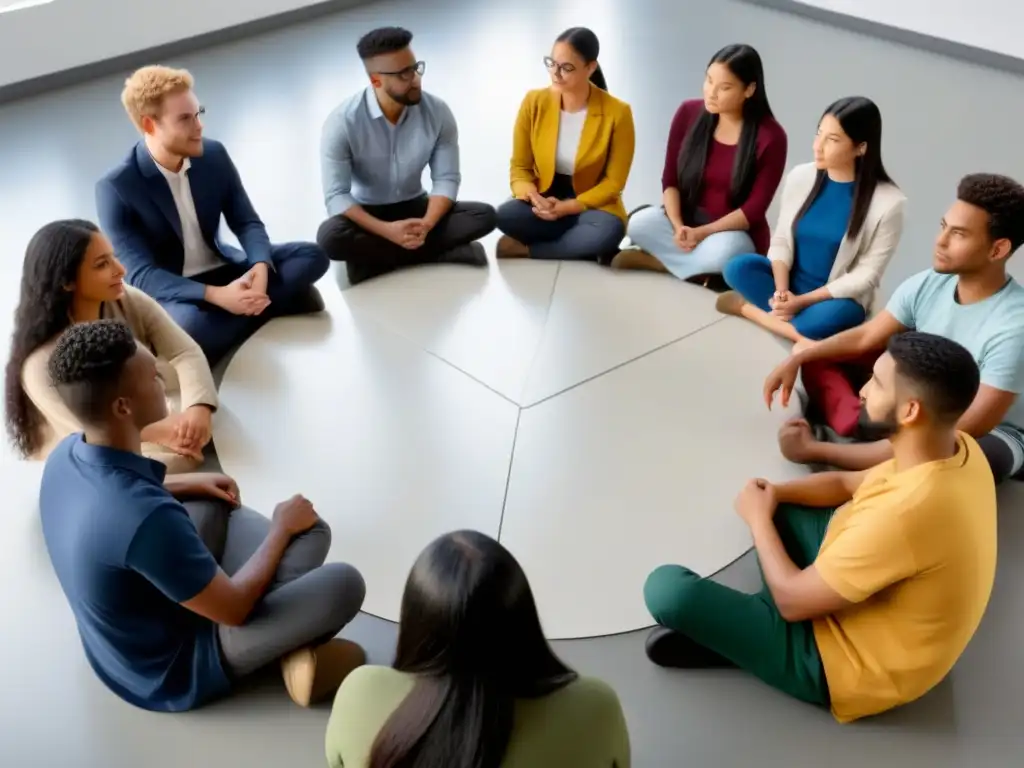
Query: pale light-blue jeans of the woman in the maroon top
(652, 231)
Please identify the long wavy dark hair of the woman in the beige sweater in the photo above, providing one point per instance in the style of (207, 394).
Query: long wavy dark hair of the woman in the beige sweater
(52, 264)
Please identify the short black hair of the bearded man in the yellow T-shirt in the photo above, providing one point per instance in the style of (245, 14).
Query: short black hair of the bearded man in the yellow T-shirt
(941, 370)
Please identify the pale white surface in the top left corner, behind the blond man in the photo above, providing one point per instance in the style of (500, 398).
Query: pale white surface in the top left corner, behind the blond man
(64, 34)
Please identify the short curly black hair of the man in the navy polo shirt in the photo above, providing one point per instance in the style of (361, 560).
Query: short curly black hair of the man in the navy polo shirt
(88, 364)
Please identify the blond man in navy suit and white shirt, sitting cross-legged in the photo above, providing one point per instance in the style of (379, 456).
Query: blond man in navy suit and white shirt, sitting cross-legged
(162, 209)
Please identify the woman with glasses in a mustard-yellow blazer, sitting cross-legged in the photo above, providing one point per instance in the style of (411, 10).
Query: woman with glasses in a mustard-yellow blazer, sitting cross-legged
(572, 154)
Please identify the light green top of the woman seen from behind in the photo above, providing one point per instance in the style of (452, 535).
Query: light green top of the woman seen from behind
(581, 726)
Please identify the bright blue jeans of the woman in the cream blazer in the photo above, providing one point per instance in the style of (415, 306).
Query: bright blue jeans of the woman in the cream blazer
(751, 276)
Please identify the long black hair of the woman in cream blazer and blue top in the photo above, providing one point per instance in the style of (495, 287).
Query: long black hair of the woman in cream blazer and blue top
(862, 121)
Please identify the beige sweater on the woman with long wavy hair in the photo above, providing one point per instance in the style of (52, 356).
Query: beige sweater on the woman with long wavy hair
(183, 364)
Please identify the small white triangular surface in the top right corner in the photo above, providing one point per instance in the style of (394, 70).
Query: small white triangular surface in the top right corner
(992, 25)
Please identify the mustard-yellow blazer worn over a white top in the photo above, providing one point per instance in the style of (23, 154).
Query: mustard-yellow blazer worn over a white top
(604, 159)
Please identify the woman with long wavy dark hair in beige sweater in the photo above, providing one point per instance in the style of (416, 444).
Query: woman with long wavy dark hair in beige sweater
(72, 276)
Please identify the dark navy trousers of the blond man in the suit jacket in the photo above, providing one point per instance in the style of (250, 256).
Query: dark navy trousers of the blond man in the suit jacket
(296, 268)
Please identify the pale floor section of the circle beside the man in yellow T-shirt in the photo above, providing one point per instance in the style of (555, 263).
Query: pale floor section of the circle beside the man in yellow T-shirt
(639, 468)
